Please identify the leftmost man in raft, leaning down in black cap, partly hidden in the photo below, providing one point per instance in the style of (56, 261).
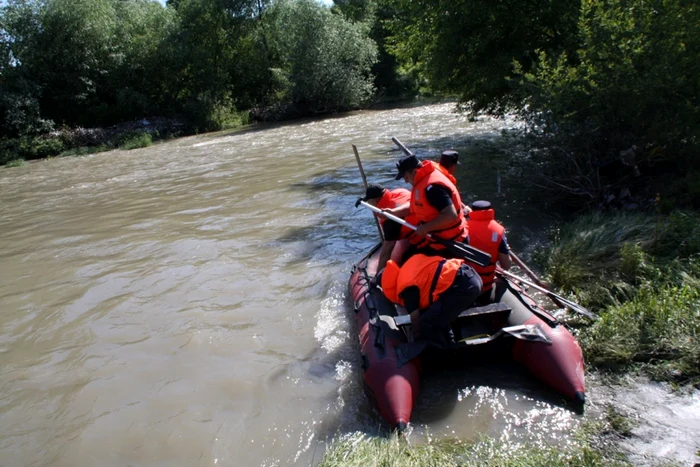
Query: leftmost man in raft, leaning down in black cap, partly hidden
(378, 196)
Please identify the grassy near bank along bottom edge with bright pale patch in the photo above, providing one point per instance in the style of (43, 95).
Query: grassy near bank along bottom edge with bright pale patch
(638, 423)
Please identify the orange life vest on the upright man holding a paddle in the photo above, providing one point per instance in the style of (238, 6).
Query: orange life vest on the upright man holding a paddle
(422, 211)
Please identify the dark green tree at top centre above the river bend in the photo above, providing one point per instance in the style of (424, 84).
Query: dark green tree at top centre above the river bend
(470, 47)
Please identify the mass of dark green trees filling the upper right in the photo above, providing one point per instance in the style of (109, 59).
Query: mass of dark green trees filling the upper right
(609, 88)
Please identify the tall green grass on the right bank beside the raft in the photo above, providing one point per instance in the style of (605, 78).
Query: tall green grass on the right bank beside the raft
(641, 273)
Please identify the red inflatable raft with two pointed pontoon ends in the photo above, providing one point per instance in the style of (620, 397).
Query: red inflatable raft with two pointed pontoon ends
(514, 324)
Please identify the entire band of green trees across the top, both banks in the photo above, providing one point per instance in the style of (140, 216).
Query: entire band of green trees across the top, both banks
(594, 78)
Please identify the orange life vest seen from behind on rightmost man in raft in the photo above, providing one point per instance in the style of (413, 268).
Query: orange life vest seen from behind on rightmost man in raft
(485, 234)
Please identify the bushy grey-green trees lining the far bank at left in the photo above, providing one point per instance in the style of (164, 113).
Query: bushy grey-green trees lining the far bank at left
(206, 62)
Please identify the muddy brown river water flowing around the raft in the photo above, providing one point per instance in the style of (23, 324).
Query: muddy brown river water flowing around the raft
(185, 303)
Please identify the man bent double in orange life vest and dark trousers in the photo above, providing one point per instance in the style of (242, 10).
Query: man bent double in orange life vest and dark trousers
(435, 290)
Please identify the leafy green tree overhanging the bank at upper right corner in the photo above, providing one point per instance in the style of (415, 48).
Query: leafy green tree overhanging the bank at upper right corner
(631, 83)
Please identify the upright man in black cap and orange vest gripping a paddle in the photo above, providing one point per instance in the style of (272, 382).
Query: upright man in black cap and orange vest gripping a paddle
(435, 206)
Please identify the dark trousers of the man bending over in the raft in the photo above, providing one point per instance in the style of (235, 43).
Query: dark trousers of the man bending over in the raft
(434, 322)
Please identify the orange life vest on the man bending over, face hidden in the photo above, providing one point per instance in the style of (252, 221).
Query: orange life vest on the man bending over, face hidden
(431, 274)
